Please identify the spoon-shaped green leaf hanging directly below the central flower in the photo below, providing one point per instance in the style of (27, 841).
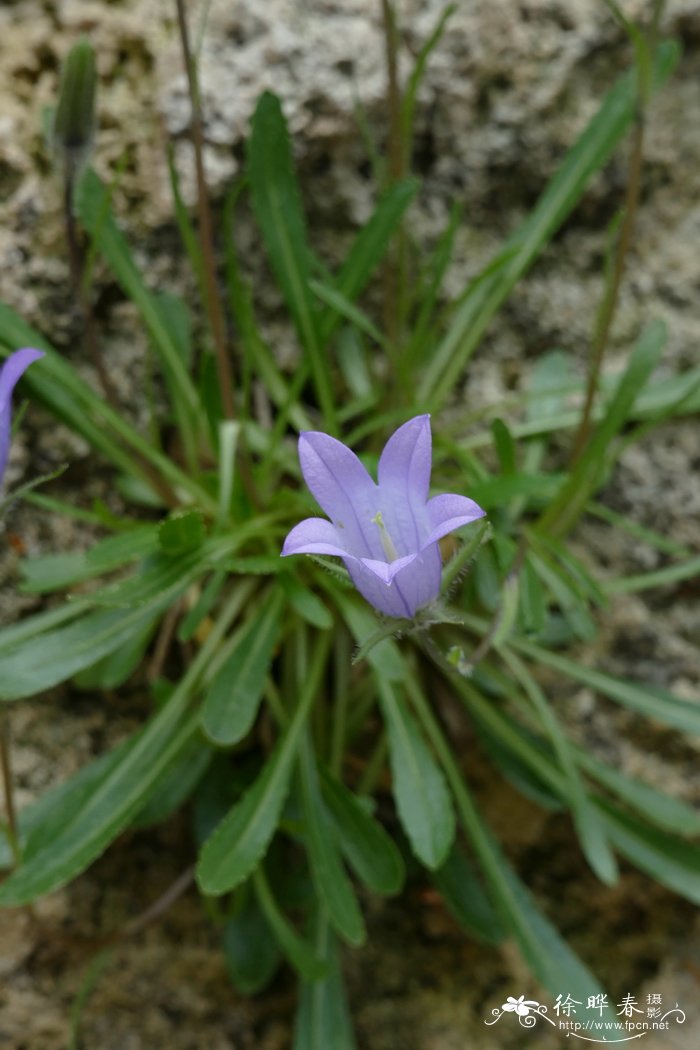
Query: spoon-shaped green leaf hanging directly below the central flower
(423, 802)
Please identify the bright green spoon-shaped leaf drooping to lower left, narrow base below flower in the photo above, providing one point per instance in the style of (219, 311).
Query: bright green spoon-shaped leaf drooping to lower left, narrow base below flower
(242, 839)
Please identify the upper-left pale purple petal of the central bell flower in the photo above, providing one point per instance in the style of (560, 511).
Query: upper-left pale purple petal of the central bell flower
(345, 490)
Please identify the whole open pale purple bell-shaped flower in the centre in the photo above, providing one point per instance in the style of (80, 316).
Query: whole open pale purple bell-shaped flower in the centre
(387, 534)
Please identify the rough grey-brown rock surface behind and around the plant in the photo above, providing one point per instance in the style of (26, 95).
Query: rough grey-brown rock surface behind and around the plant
(507, 91)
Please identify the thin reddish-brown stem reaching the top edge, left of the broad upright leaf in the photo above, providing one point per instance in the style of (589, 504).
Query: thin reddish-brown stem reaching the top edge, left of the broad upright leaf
(214, 304)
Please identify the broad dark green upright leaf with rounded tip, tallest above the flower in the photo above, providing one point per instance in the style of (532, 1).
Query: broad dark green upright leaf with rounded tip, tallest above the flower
(278, 206)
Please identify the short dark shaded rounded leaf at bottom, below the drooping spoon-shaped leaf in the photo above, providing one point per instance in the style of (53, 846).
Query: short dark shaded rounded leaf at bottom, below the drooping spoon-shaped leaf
(250, 950)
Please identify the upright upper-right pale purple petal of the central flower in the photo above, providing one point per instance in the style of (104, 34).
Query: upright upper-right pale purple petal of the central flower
(405, 480)
